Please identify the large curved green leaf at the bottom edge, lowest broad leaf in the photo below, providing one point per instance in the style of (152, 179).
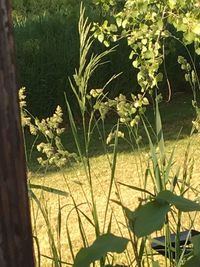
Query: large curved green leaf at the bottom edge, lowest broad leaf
(102, 245)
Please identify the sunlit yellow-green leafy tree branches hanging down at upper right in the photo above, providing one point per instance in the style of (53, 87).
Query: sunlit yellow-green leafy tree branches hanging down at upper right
(148, 25)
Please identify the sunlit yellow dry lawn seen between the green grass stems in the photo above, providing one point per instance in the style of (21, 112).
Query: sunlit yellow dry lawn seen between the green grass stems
(130, 170)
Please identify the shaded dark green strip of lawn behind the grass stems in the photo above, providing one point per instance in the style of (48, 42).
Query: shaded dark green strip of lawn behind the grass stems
(177, 116)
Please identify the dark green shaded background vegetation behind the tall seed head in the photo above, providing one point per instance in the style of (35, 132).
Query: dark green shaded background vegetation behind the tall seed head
(47, 48)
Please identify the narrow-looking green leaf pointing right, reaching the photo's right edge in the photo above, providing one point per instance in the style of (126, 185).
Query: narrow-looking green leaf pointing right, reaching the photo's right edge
(179, 202)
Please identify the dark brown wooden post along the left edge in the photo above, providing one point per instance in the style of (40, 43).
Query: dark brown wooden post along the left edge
(16, 246)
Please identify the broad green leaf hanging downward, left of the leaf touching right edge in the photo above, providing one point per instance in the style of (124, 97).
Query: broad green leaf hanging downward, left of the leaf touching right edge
(149, 218)
